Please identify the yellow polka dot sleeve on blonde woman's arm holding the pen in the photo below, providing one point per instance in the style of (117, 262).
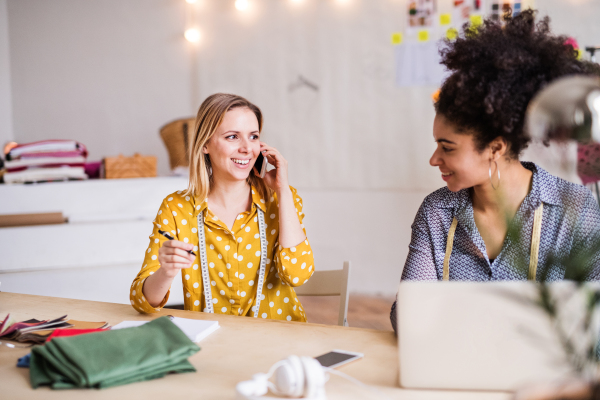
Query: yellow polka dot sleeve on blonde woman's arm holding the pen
(165, 221)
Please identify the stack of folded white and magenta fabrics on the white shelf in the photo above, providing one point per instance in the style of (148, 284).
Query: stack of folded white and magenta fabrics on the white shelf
(44, 161)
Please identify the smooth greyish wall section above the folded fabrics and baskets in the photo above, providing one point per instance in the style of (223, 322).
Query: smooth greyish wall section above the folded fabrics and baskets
(108, 73)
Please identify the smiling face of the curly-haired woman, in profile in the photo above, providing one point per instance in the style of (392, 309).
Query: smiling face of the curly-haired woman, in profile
(462, 165)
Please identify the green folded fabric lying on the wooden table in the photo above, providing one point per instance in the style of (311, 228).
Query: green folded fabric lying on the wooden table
(112, 358)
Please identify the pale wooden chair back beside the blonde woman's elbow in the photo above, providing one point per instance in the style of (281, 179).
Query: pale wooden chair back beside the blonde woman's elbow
(329, 283)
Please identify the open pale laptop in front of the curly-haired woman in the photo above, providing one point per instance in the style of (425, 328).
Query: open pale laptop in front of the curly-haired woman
(480, 336)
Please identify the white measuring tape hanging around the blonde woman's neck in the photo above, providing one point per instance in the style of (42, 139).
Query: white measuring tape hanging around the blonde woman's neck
(204, 263)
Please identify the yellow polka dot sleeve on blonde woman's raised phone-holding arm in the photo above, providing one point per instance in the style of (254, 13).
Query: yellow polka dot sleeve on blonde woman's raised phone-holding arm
(295, 265)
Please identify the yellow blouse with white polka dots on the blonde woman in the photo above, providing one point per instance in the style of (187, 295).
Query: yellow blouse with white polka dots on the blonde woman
(233, 258)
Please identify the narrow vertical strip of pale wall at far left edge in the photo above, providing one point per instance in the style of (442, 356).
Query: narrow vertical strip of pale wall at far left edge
(6, 128)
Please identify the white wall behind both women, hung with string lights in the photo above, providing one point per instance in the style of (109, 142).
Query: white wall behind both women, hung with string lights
(110, 73)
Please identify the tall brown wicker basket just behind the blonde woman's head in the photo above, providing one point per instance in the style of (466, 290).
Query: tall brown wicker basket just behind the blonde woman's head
(177, 136)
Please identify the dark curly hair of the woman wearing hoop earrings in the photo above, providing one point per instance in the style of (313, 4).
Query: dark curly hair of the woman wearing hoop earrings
(496, 69)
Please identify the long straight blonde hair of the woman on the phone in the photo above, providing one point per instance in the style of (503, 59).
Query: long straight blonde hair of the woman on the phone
(210, 115)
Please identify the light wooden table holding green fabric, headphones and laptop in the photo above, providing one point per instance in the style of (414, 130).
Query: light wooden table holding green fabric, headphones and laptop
(239, 349)
